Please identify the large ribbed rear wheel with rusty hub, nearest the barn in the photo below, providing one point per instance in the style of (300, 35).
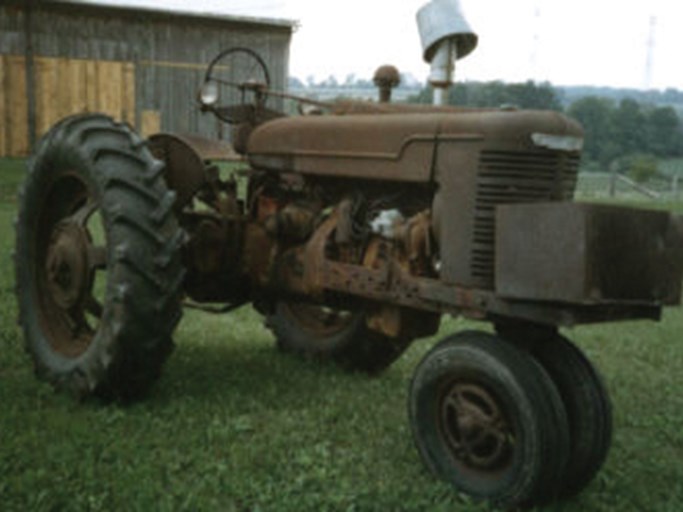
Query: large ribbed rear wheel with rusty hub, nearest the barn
(97, 260)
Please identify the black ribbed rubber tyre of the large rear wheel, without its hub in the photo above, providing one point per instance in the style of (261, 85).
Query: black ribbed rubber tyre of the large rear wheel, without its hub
(143, 306)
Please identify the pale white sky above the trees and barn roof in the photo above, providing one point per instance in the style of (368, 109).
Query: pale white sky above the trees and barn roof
(565, 42)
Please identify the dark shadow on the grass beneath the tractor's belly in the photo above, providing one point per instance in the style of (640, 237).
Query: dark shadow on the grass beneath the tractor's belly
(244, 377)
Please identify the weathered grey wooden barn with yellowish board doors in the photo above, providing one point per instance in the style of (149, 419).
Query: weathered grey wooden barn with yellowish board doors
(140, 65)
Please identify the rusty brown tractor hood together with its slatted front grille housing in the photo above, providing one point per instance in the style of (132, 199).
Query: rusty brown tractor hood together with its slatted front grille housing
(479, 159)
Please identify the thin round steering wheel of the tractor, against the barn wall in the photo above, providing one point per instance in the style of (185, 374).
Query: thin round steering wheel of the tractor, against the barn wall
(244, 72)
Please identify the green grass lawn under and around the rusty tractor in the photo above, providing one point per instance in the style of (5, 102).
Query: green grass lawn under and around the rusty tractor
(235, 426)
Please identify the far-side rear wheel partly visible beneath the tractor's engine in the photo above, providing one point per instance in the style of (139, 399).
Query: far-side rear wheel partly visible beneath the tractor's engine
(328, 334)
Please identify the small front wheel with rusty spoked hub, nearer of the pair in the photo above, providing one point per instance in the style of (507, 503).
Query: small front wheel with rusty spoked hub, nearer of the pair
(487, 418)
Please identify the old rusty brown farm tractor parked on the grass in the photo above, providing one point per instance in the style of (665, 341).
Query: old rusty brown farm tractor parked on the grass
(352, 228)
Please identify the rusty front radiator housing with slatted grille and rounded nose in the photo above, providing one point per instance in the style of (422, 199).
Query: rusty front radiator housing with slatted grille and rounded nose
(477, 175)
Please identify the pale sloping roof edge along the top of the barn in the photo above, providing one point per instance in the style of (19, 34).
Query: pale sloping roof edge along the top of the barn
(187, 10)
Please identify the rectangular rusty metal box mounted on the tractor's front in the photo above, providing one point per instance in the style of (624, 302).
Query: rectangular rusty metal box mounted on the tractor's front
(587, 254)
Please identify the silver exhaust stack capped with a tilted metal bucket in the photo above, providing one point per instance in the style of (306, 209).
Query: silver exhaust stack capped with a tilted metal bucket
(446, 36)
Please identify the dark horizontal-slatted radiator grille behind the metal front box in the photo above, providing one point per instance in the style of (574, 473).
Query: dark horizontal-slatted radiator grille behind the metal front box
(507, 177)
